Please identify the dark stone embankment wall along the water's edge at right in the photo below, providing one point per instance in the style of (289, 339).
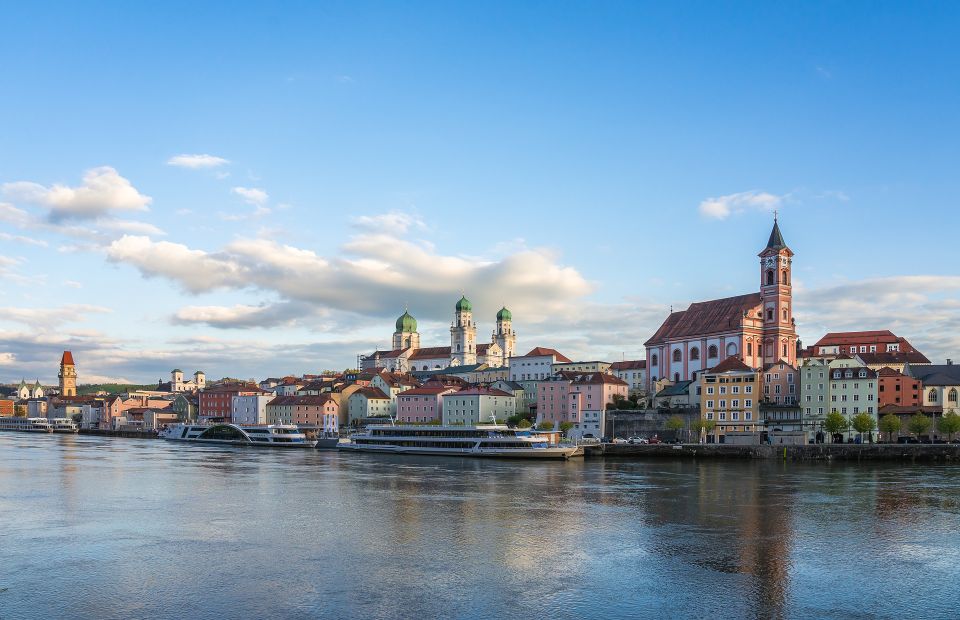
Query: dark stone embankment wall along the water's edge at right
(913, 453)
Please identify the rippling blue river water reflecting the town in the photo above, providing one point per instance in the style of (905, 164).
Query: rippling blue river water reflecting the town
(96, 527)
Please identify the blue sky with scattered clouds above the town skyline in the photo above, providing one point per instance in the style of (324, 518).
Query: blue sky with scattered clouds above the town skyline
(586, 164)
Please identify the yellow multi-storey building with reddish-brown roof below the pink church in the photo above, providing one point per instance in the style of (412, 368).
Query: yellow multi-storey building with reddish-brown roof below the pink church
(730, 398)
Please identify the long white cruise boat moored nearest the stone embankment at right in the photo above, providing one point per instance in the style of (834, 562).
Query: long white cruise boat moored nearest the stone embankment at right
(490, 440)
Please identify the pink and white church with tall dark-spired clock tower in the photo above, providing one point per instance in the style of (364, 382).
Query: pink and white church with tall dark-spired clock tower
(758, 328)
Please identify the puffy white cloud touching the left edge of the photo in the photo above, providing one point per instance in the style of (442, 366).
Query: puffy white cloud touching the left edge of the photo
(103, 192)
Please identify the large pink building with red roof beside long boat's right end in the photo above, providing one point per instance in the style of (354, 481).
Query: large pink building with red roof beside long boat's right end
(578, 398)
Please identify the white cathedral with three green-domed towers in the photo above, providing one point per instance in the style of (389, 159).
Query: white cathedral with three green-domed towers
(407, 355)
